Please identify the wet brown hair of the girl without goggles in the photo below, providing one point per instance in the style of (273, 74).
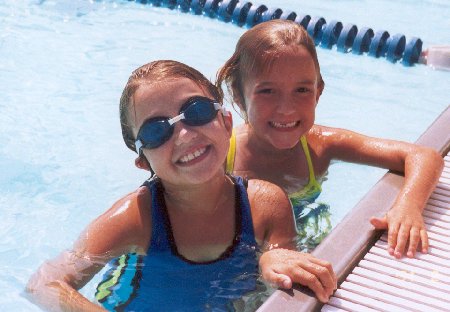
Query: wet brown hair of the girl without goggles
(256, 50)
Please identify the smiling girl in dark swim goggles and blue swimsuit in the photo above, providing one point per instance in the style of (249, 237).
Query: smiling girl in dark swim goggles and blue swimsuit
(197, 237)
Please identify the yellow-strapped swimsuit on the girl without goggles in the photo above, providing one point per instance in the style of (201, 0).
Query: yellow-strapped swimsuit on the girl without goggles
(301, 197)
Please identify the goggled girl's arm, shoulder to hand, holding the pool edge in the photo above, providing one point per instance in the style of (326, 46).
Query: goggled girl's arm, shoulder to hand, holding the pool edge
(280, 263)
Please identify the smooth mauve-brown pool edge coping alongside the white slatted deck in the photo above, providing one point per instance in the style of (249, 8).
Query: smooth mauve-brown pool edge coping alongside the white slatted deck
(350, 240)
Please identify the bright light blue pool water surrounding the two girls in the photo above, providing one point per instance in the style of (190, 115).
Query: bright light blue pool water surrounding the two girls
(63, 65)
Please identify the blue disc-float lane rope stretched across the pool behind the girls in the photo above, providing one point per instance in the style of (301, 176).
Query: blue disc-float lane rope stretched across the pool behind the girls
(348, 38)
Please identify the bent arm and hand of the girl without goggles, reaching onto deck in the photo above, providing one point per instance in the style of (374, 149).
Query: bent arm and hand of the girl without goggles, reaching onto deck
(421, 166)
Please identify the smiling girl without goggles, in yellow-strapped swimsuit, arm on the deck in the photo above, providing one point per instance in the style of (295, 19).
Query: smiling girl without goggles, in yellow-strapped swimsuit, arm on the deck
(274, 78)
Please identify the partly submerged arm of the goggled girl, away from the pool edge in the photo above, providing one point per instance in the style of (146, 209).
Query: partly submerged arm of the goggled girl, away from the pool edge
(54, 286)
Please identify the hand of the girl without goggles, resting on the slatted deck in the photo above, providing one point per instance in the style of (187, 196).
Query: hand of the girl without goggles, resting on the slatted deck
(403, 225)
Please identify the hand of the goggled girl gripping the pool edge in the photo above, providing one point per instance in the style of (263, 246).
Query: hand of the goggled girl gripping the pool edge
(284, 267)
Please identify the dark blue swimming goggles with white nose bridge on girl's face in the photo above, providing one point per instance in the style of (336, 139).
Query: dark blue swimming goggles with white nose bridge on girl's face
(197, 111)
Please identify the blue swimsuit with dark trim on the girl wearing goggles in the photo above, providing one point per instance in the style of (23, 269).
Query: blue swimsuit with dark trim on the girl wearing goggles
(163, 280)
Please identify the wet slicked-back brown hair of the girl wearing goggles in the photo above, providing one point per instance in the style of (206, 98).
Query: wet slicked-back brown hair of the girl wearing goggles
(157, 71)
